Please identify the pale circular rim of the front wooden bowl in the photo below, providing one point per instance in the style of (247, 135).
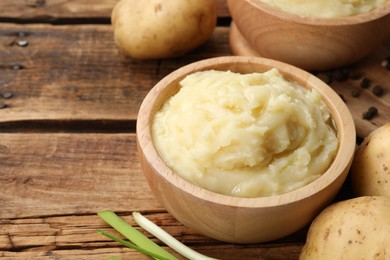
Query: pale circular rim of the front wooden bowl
(338, 109)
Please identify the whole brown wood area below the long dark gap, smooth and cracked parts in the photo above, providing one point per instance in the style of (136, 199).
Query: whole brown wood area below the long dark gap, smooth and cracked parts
(52, 185)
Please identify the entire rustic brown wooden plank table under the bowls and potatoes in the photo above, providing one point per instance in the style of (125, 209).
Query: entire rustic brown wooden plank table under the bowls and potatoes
(69, 103)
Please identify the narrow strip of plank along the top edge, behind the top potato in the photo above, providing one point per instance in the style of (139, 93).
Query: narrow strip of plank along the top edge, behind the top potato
(52, 10)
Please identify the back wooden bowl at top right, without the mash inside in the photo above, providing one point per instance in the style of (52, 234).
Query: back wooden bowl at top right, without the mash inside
(309, 43)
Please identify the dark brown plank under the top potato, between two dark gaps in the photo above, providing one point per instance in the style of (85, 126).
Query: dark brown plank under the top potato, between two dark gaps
(76, 73)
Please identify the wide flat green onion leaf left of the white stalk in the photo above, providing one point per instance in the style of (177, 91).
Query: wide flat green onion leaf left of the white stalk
(134, 235)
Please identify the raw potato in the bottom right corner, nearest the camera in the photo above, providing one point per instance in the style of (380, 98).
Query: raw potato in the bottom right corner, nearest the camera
(358, 228)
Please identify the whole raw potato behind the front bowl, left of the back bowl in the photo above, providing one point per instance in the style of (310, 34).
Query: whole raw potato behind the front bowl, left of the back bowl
(162, 29)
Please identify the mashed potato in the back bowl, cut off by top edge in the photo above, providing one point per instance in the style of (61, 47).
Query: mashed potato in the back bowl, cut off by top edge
(326, 8)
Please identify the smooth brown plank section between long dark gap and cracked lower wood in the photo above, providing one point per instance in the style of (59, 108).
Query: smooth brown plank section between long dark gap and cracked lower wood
(60, 174)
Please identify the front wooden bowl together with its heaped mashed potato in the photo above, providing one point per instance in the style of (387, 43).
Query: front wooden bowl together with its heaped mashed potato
(244, 149)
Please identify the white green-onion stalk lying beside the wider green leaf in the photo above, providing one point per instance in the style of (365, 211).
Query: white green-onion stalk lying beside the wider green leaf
(167, 238)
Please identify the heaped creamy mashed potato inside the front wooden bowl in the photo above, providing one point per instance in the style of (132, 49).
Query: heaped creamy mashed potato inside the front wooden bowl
(245, 135)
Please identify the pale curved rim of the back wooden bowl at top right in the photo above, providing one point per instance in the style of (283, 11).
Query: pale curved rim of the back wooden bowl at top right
(336, 21)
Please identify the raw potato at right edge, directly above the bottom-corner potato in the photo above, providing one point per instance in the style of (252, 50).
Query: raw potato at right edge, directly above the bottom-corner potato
(370, 171)
